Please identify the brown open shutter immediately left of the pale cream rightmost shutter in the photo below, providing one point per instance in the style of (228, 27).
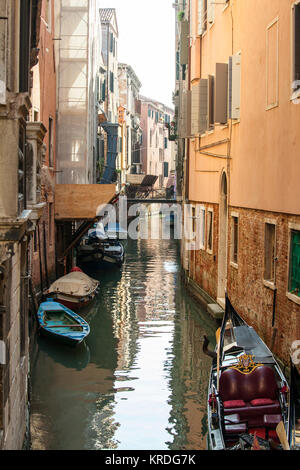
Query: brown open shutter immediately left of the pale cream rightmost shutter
(221, 93)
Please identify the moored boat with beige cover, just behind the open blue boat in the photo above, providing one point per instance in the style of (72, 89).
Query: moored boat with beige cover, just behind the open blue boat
(74, 290)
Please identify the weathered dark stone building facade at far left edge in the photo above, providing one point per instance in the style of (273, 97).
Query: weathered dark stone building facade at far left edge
(20, 208)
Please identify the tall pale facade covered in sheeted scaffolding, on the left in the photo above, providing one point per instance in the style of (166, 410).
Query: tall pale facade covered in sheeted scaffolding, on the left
(77, 55)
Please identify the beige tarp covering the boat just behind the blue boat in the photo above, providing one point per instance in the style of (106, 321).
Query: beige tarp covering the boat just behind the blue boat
(75, 283)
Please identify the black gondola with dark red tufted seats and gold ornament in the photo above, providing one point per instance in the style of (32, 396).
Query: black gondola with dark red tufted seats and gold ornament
(248, 395)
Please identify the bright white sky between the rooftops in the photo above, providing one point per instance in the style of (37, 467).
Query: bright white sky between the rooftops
(147, 43)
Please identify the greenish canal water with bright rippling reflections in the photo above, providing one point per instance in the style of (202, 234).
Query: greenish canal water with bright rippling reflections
(140, 379)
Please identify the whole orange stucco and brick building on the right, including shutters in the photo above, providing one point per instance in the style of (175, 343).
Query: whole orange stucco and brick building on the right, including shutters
(239, 119)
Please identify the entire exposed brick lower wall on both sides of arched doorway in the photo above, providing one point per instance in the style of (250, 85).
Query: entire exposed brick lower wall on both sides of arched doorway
(249, 293)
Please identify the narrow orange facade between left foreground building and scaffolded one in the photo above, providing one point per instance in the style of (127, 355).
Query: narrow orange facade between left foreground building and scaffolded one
(43, 117)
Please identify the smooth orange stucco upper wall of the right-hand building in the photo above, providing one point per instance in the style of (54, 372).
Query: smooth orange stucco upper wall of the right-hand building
(265, 164)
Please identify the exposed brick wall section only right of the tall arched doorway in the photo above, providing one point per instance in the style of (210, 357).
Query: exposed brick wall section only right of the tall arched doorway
(251, 296)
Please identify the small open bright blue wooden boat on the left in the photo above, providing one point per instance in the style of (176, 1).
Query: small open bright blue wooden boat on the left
(61, 323)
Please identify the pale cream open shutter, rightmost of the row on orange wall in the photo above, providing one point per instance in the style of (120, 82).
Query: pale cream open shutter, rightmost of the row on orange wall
(234, 86)
